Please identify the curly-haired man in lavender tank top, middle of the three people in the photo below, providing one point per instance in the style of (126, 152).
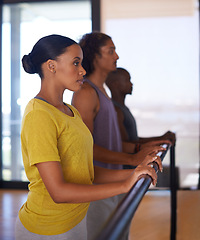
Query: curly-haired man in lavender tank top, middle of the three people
(98, 113)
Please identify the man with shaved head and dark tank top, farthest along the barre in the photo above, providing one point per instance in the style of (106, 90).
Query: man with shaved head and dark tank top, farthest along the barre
(119, 83)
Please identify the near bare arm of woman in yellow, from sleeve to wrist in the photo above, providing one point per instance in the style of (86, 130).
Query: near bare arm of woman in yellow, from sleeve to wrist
(65, 192)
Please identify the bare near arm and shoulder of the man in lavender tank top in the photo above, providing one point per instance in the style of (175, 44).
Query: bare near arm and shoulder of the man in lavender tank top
(87, 102)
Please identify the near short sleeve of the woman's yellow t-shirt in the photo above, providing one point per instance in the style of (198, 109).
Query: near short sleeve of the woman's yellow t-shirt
(39, 137)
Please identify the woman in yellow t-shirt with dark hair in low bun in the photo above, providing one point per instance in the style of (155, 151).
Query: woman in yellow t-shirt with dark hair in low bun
(57, 150)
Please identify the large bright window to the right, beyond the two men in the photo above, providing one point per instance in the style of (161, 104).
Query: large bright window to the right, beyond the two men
(158, 43)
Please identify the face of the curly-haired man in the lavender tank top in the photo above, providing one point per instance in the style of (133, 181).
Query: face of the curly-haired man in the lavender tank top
(107, 61)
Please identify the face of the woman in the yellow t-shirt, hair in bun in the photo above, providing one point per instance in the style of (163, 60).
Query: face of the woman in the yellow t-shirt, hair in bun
(69, 71)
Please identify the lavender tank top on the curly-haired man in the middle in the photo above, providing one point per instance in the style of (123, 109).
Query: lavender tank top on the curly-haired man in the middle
(106, 131)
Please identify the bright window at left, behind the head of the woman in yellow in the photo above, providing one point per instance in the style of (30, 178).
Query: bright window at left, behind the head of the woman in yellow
(23, 25)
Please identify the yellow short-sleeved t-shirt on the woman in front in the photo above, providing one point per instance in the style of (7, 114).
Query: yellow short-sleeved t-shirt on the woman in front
(49, 135)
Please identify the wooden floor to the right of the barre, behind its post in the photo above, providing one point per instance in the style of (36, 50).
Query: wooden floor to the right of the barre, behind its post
(152, 218)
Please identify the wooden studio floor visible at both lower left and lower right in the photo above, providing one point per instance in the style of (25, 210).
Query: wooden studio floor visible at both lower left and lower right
(151, 221)
